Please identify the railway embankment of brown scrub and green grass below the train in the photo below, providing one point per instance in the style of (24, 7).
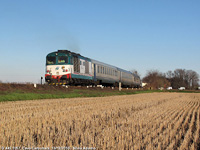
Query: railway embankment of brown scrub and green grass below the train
(17, 92)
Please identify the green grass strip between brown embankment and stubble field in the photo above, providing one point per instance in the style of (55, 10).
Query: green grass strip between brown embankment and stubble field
(27, 95)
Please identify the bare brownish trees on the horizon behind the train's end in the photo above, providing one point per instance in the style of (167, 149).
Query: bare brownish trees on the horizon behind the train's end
(175, 79)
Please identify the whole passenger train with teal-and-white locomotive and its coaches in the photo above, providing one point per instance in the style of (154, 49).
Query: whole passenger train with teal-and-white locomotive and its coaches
(69, 68)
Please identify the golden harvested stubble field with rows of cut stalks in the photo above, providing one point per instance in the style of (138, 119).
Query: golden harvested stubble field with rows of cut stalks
(143, 121)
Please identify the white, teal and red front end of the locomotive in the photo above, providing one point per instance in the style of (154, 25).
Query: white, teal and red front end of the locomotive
(58, 67)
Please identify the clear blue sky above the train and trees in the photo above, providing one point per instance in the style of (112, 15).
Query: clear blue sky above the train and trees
(130, 34)
